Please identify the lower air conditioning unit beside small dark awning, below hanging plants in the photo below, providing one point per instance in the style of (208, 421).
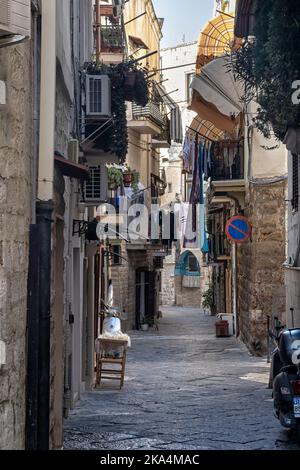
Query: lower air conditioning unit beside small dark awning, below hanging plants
(95, 189)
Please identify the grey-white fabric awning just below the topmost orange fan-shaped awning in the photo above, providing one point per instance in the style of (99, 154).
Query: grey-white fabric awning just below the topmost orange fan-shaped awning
(216, 85)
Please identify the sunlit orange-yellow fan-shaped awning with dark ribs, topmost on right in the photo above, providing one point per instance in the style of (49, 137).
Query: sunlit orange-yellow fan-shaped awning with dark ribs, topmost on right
(216, 39)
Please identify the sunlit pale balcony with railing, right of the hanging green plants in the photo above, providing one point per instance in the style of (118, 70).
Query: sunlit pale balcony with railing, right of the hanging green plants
(148, 119)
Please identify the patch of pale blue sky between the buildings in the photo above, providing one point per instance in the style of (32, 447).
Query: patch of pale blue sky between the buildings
(184, 19)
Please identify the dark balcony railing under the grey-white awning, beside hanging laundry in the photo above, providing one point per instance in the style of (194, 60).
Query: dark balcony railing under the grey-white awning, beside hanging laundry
(228, 161)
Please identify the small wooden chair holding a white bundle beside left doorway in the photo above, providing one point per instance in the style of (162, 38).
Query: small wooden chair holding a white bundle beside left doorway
(105, 363)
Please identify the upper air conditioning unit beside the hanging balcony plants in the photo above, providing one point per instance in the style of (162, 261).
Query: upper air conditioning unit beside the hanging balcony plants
(98, 96)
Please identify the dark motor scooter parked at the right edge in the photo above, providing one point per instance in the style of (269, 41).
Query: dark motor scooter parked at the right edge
(285, 376)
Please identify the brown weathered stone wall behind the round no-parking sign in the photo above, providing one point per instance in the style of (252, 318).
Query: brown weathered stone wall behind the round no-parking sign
(261, 289)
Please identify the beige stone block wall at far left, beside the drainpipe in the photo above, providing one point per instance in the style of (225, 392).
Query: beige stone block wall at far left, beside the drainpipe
(15, 217)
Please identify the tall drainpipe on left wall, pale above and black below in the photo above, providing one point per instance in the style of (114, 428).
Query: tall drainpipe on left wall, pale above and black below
(44, 209)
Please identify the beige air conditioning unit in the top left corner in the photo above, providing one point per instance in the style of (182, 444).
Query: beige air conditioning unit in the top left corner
(15, 17)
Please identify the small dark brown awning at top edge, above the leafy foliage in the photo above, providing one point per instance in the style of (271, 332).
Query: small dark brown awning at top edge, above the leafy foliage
(244, 22)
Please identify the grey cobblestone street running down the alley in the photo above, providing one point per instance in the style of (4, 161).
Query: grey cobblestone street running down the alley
(184, 389)
